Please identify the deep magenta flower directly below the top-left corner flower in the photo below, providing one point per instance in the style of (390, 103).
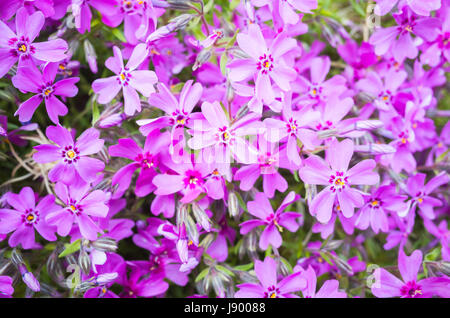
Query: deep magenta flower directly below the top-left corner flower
(30, 79)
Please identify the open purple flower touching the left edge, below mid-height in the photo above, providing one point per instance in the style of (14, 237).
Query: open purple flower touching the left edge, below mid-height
(25, 217)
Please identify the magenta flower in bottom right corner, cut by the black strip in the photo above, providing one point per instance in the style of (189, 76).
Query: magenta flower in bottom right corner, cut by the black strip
(387, 285)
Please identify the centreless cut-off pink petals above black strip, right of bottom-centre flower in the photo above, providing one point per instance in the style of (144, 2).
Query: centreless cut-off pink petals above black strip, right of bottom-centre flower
(329, 289)
